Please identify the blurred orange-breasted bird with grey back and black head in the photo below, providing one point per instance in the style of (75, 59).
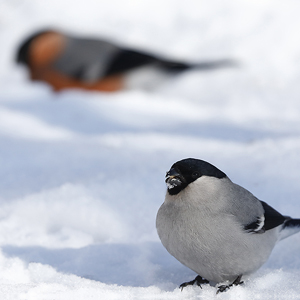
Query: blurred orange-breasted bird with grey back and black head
(67, 61)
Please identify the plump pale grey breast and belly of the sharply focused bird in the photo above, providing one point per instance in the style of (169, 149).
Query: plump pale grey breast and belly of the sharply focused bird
(198, 229)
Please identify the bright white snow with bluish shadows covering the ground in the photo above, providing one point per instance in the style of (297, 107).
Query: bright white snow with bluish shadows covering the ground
(82, 174)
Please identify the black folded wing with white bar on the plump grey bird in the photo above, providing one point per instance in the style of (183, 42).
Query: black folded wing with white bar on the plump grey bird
(268, 220)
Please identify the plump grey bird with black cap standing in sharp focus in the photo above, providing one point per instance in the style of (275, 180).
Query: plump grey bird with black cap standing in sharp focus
(215, 227)
